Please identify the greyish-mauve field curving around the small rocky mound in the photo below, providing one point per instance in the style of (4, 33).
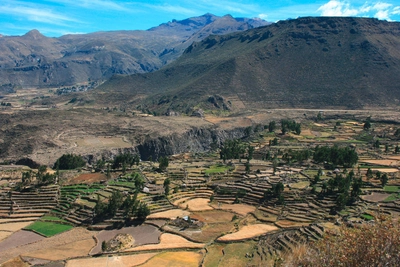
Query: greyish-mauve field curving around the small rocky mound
(142, 234)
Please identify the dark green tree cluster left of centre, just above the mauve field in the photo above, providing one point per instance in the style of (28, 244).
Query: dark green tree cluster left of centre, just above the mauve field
(129, 205)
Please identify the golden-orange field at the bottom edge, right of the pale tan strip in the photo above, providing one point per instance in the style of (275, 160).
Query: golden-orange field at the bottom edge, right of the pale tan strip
(175, 259)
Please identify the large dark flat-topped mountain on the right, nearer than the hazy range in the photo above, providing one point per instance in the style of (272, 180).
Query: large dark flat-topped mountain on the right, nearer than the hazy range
(307, 62)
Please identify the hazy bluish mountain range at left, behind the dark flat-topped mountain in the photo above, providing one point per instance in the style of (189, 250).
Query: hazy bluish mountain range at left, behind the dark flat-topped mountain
(33, 60)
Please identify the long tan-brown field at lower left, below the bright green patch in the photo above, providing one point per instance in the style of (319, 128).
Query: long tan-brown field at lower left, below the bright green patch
(42, 244)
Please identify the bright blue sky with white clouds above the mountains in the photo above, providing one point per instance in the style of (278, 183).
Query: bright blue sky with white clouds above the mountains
(59, 17)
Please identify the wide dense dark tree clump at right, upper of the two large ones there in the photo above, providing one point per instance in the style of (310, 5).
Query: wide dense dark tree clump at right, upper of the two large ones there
(344, 156)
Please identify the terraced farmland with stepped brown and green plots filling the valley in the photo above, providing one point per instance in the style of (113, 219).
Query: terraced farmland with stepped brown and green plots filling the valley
(244, 203)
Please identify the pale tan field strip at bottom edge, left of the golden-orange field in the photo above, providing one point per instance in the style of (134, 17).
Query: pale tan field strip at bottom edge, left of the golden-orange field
(113, 261)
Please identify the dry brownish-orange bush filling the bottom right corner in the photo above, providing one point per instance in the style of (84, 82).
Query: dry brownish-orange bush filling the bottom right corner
(367, 245)
